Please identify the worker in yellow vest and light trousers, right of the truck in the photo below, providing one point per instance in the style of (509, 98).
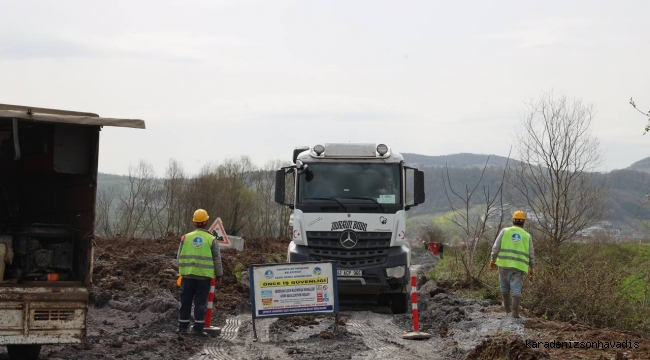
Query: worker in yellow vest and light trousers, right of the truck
(513, 253)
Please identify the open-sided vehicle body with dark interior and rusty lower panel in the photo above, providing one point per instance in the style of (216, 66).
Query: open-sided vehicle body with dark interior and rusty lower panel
(48, 186)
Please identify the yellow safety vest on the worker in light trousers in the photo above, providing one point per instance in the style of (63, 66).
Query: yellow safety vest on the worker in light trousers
(515, 249)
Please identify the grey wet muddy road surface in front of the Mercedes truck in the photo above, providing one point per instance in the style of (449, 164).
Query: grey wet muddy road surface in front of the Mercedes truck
(365, 331)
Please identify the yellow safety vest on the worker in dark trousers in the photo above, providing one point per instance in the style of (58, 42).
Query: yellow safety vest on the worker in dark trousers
(196, 254)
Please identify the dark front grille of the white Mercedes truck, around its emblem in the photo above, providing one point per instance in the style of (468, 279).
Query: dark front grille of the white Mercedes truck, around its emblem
(372, 248)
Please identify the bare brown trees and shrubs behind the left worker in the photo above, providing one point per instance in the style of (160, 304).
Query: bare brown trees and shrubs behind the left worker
(237, 191)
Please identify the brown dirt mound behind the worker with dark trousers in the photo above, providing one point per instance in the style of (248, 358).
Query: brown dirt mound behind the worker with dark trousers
(131, 270)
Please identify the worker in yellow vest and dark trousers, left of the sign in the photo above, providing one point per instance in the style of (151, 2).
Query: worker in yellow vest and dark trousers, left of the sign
(199, 260)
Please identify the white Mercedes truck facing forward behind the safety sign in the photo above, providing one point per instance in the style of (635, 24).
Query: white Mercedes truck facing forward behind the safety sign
(349, 203)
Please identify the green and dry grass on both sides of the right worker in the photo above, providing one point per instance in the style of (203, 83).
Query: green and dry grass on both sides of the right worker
(605, 285)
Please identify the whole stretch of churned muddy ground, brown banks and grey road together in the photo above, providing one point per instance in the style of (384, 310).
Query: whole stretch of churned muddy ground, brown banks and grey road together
(134, 306)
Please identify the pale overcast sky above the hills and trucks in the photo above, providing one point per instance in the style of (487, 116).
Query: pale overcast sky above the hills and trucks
(219, 79)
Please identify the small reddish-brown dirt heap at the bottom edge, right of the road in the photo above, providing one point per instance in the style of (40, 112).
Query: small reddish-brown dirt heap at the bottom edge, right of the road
(505, 348)
